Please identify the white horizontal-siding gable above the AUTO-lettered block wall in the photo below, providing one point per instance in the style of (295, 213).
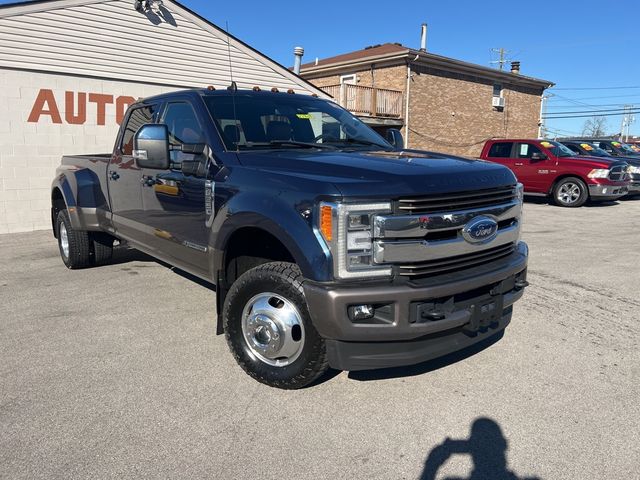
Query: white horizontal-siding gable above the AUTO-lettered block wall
(109, 39)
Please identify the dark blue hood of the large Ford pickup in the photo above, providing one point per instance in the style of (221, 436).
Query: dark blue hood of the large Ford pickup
(380, 173)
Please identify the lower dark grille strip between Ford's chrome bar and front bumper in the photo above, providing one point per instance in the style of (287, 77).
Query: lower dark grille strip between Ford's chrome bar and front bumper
(459, 262)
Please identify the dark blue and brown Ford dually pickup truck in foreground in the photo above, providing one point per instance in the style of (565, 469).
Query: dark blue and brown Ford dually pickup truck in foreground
(327, 244)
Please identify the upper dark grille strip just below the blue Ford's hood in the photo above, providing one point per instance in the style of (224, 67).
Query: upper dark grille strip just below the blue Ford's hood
(457, 201)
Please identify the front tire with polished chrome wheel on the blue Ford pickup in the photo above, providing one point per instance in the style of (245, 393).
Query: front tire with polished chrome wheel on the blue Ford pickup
(269, 329)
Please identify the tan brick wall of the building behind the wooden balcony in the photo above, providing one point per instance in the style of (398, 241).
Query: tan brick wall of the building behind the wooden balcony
(452, 113)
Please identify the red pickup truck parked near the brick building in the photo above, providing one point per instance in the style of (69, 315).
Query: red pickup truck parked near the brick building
(549, 168)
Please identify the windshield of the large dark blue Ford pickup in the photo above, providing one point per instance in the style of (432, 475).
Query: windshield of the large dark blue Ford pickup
(283, 120)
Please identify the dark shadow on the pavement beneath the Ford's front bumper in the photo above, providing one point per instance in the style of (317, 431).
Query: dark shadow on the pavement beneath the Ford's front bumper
(425, 367)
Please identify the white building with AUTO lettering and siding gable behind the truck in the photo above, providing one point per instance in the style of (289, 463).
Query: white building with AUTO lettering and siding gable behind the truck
(70, 68)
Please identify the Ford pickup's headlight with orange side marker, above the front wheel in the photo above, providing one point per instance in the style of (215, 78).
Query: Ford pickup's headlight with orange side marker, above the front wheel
(347, 230)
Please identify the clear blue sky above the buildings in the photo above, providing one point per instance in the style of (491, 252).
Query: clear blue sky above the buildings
(588, 44)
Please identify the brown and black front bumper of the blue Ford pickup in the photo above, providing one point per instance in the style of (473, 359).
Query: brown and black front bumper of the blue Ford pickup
(423, 321)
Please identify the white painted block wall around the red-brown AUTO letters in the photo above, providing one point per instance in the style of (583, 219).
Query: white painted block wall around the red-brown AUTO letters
(31, 151)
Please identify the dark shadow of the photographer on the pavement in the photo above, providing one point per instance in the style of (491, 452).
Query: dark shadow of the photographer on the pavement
(487, 447)
